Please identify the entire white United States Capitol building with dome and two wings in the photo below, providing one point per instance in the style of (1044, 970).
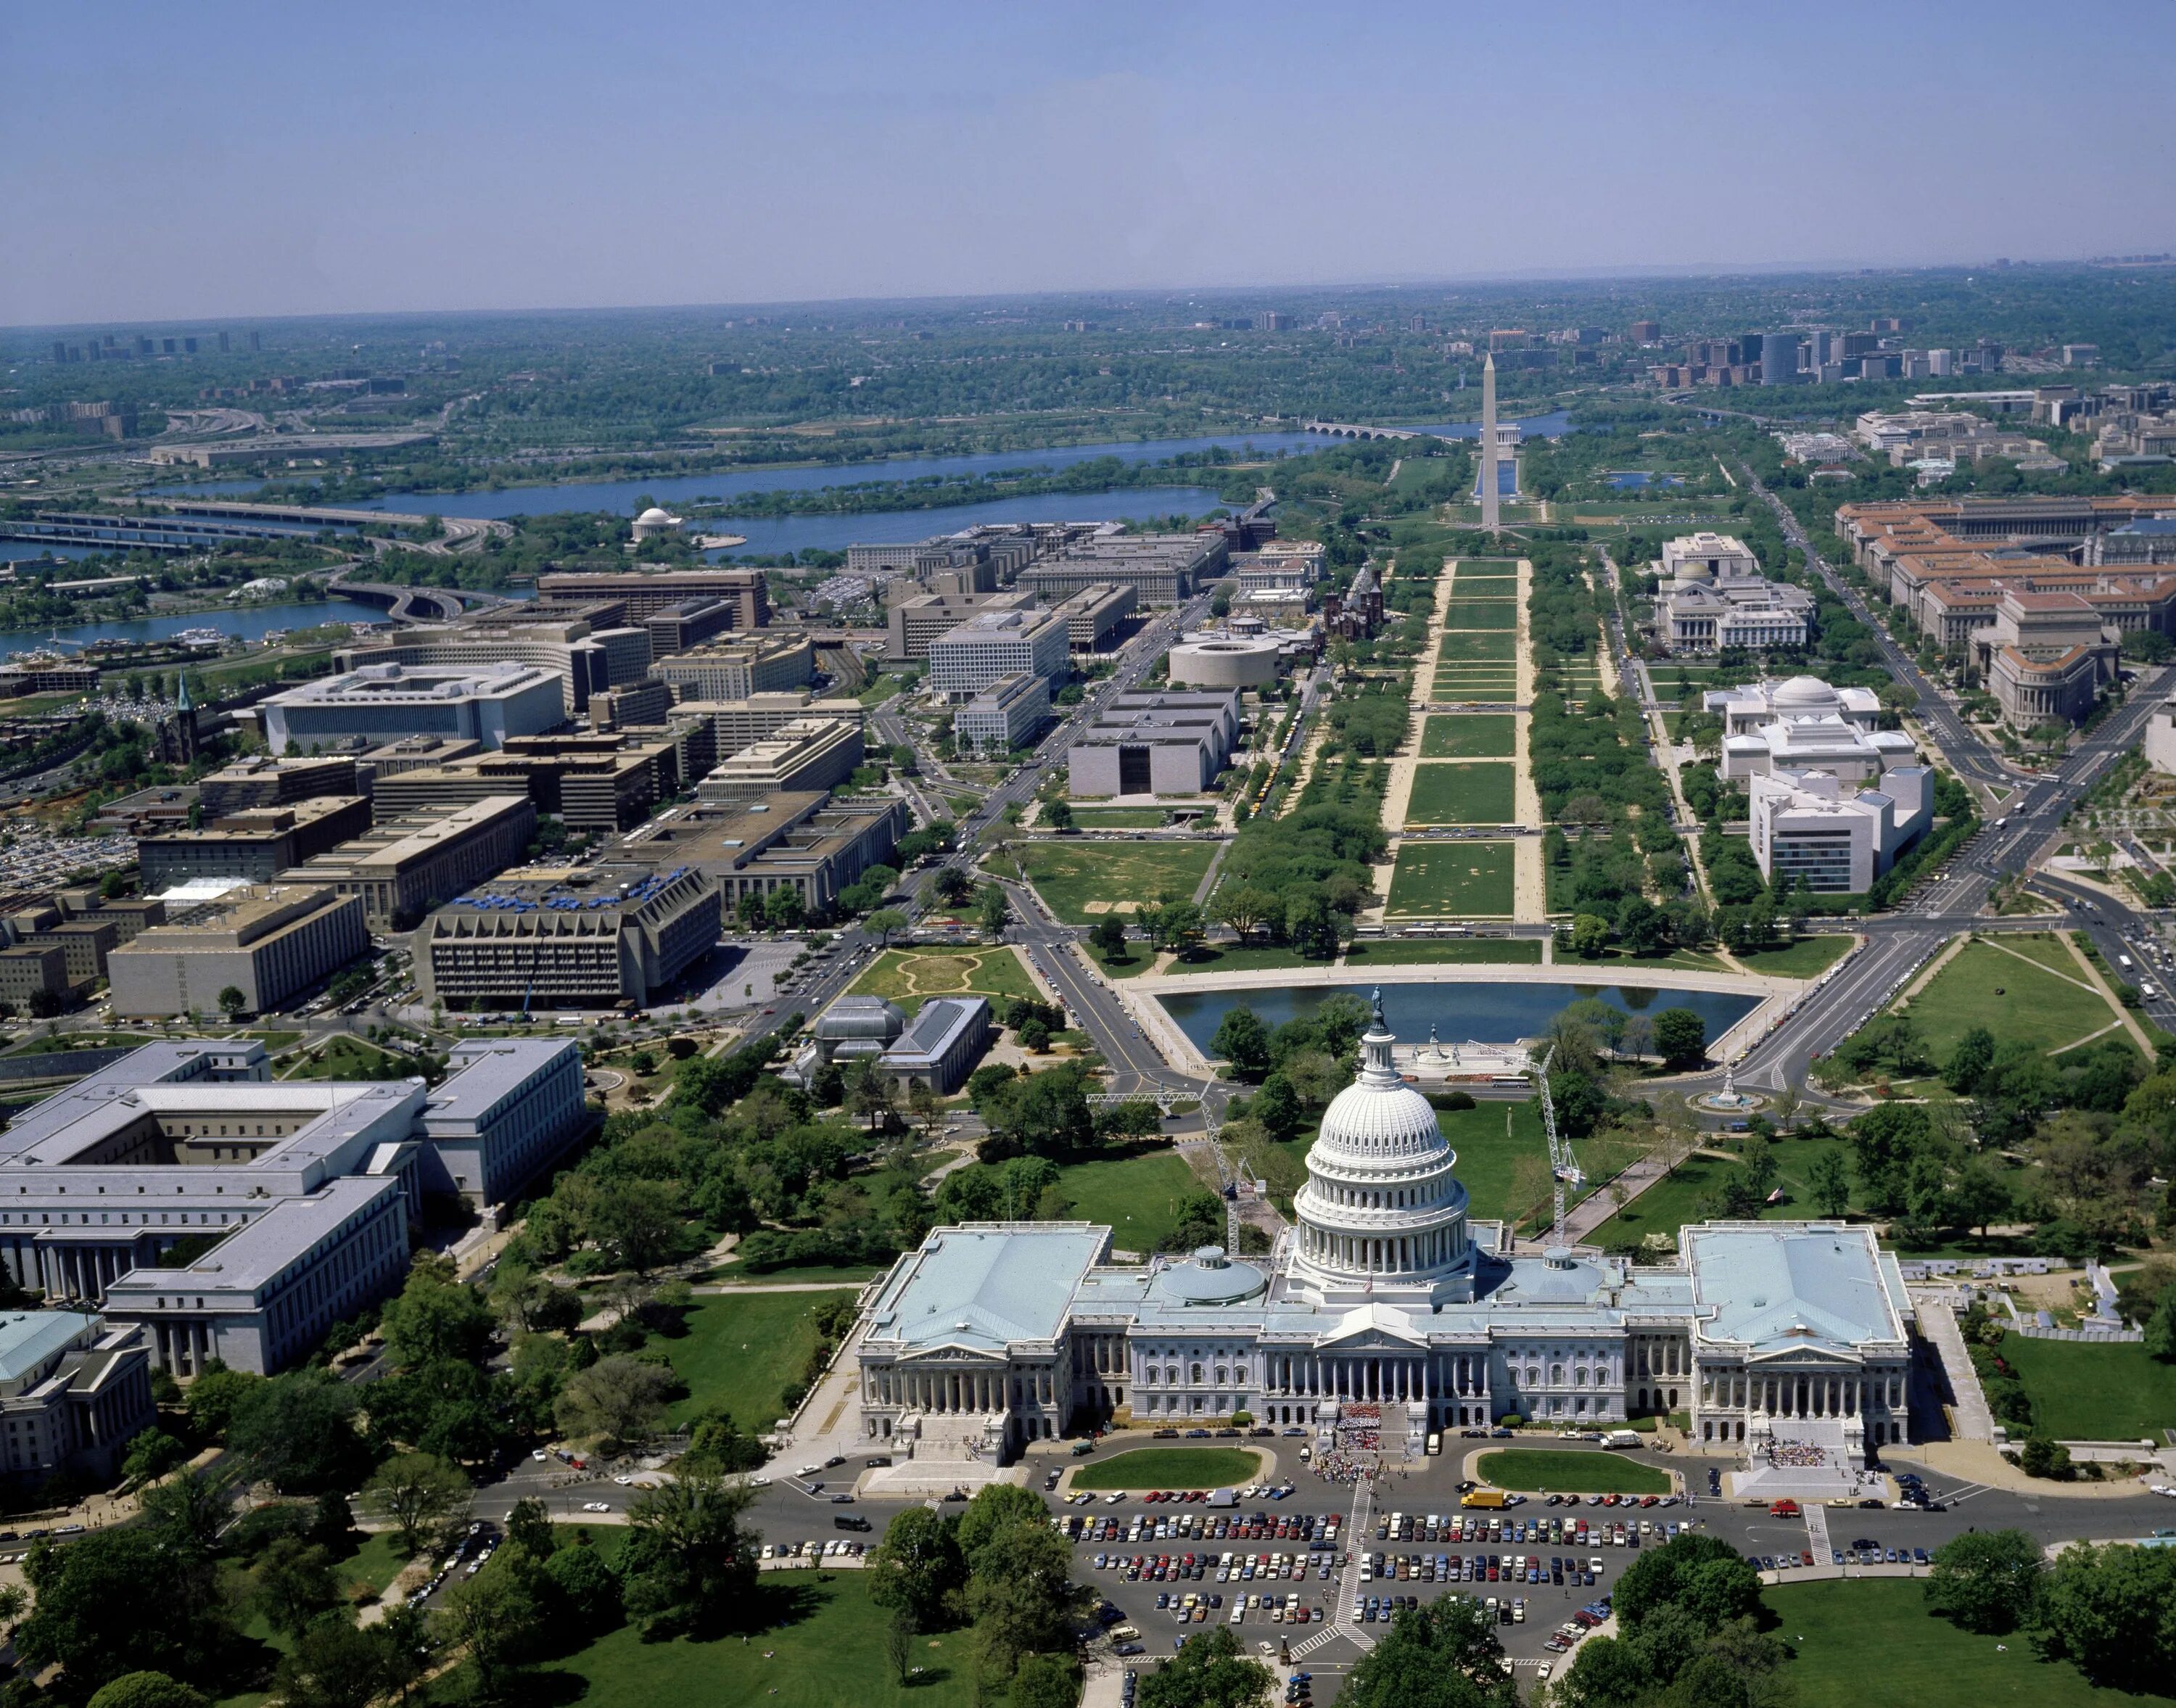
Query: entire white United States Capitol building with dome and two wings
(1387, 1307)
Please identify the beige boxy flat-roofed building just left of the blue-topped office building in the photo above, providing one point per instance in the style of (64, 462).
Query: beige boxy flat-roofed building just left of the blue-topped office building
(269, 943)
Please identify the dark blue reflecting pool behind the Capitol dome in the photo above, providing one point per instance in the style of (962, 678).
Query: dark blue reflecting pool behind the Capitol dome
(1459, 1013)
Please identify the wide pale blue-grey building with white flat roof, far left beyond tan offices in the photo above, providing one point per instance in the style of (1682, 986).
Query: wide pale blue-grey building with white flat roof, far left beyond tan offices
(386, 702)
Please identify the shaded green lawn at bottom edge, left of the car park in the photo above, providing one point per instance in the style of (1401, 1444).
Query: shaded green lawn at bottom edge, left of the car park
(819, 1642)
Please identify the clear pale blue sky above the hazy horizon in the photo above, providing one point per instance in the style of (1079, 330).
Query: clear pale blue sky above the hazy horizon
(254, 160)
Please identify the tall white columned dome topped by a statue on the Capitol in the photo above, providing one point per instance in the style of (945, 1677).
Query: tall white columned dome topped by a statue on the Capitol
(1383, 1215)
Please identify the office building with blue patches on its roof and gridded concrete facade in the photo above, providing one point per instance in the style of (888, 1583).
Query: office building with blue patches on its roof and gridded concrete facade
(584, 939)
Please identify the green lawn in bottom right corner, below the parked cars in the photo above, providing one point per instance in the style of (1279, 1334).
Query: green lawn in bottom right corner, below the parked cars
(1835, 1629)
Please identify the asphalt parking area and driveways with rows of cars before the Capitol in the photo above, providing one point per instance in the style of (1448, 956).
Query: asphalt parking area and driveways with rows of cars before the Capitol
(1315, 1559)
